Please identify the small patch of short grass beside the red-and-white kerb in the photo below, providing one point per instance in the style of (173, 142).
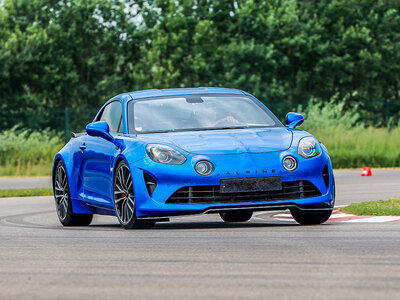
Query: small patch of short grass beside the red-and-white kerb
(389, 207)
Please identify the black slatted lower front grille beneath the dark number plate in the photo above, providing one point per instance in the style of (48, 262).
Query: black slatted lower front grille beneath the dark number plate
(211, 194)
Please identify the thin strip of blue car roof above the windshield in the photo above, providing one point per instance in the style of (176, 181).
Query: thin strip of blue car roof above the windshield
(174, 92)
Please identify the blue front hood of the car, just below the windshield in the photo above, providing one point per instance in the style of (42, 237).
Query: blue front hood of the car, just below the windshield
(229, 141)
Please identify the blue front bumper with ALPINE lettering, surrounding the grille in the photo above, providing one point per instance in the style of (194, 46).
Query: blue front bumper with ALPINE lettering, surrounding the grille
(170, 178)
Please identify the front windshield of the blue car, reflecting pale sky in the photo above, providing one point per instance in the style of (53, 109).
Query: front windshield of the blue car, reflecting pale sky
(197, 112)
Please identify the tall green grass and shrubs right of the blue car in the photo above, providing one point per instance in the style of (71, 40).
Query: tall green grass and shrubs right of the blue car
(351, 144)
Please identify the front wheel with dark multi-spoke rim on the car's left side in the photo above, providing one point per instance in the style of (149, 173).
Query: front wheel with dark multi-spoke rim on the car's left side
(124, 199)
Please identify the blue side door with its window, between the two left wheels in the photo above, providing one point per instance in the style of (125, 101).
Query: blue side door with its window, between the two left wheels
(98, 156)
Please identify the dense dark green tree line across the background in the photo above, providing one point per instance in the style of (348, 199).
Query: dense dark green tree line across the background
(79, 53)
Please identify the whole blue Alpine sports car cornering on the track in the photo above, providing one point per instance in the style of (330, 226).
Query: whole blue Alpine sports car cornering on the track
(150, 155)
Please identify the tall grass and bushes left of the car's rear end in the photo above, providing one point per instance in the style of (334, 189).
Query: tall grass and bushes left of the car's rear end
(24, 152)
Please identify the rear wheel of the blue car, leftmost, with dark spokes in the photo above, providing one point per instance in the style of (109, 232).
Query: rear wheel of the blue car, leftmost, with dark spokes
(63, 200)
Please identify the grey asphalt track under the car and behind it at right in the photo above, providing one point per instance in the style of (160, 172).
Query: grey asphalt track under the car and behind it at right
(201, 257)
